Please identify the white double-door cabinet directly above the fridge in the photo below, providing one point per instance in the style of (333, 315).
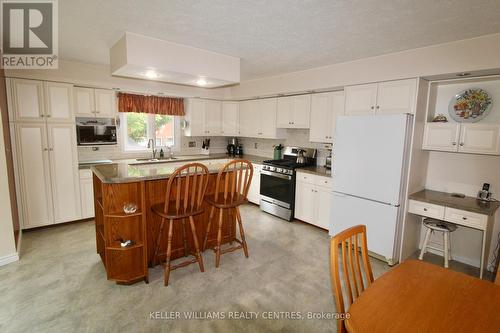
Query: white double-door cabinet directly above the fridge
(392, 97)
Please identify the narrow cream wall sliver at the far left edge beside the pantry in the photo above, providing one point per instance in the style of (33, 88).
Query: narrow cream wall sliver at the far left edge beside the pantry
(7, 242)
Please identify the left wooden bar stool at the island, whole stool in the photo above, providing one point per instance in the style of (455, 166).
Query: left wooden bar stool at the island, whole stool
(187, 185)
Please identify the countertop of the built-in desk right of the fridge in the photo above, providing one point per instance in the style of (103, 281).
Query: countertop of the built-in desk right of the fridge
(470, 204)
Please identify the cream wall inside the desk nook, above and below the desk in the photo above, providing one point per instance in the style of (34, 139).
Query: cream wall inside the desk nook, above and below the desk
(465, 173)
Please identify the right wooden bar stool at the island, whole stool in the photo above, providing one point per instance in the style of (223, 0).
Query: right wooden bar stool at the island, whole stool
(231, 190)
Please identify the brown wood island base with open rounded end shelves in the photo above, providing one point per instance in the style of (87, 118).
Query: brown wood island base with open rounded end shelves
(129, 265)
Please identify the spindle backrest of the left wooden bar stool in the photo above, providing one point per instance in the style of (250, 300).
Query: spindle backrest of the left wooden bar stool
(186, 188)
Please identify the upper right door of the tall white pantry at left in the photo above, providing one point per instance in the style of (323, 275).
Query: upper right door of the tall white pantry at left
(59, 98)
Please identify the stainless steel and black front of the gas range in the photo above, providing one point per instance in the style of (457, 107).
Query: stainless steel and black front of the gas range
(277, 192)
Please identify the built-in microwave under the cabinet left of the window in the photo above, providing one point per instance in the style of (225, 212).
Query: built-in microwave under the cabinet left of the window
(96, 131)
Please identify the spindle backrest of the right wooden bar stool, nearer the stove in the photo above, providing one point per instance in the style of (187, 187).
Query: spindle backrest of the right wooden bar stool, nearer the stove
(233, 181)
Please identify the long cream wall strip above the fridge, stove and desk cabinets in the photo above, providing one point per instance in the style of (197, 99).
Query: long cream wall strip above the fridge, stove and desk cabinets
(476, 54)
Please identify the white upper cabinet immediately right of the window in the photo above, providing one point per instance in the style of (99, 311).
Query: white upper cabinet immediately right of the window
(204, 117)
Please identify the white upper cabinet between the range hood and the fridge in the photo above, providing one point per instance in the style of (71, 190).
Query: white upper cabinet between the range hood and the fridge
(325, 107)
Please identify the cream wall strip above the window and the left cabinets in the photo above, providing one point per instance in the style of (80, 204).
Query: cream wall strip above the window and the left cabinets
(99, 75)
